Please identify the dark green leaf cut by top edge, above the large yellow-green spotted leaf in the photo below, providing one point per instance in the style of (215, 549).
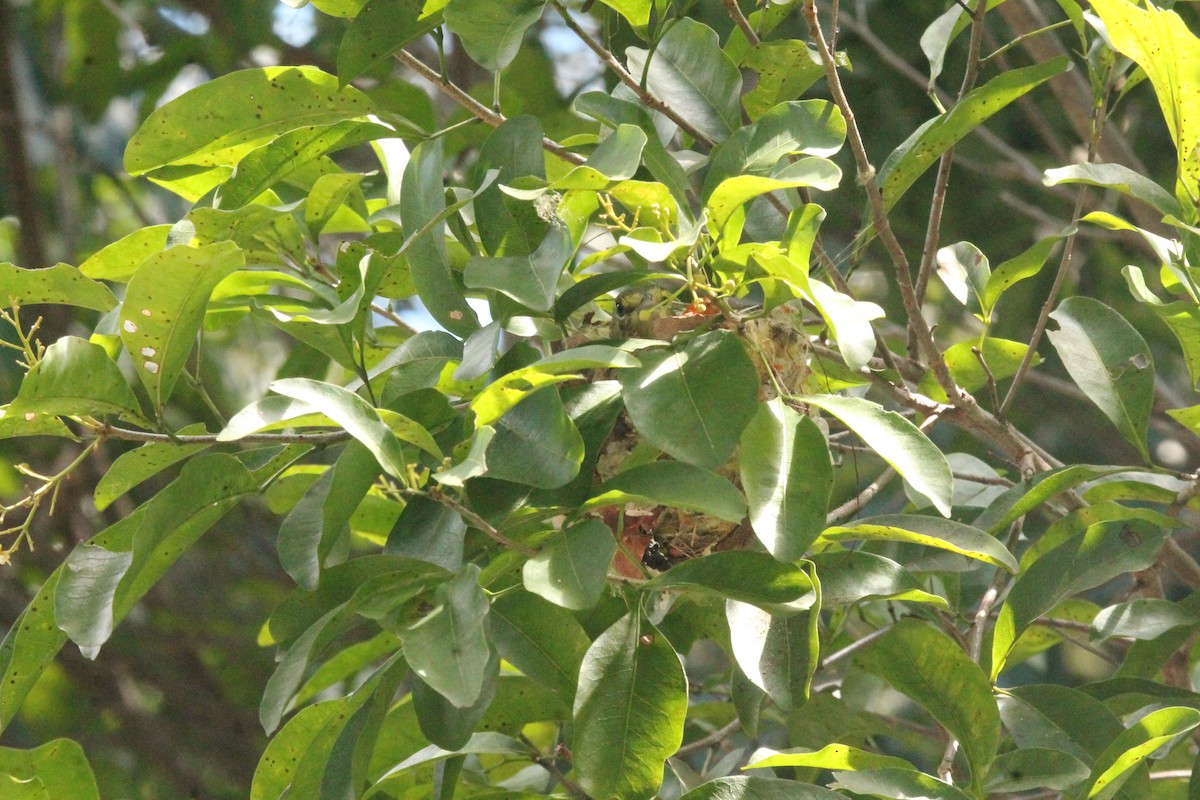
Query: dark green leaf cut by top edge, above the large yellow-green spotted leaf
(382, 28)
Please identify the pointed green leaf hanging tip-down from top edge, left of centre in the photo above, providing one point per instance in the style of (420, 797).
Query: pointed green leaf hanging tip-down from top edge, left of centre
(493, 31)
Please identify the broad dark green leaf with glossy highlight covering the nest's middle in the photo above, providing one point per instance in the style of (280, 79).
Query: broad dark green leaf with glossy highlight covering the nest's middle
(693, 401)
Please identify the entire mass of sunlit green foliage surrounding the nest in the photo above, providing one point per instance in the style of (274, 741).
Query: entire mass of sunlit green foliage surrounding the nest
(471, 515)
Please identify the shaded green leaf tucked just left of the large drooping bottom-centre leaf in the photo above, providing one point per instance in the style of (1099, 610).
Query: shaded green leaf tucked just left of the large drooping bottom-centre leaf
(542, 640)
